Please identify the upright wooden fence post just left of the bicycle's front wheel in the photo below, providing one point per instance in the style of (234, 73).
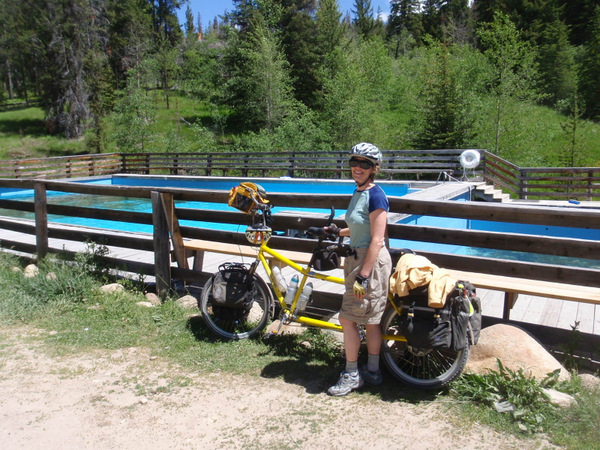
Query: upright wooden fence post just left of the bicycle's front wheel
(162, 260)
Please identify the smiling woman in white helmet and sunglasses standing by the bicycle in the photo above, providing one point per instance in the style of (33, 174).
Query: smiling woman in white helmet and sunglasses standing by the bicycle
(367, 275)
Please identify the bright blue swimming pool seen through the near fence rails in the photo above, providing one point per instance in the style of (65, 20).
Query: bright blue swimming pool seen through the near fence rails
(296, 185)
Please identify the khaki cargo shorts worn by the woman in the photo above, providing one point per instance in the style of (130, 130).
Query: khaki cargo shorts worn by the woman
(369, 310)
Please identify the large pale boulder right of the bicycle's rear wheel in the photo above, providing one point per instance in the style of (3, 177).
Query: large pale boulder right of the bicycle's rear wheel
(516, 349)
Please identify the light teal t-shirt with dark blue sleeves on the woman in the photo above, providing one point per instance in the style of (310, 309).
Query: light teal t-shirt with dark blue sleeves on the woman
(357, 216)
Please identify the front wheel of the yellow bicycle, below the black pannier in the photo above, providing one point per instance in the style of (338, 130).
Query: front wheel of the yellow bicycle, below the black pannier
(245, 327)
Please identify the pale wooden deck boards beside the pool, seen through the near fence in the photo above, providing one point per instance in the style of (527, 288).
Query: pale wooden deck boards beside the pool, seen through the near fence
(528, 309)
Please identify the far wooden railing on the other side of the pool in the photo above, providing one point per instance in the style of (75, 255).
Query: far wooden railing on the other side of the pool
(578, 183)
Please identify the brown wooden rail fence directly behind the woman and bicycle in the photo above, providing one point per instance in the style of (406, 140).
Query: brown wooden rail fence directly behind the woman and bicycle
(159, 245)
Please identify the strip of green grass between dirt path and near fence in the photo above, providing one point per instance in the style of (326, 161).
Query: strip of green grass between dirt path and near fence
(65, 300)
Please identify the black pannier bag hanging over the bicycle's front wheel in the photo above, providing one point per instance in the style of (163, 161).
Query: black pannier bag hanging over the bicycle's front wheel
(232, 291)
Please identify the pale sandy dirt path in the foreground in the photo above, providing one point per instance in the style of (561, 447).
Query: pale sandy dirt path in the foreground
(127, 400)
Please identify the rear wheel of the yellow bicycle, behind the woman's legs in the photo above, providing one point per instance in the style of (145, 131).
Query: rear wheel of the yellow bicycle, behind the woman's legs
(421, 368)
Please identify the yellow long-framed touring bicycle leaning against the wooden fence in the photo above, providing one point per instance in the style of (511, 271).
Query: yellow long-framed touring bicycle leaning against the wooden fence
(425, 368)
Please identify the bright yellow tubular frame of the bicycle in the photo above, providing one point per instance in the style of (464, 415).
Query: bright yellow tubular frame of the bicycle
(289, 312)
